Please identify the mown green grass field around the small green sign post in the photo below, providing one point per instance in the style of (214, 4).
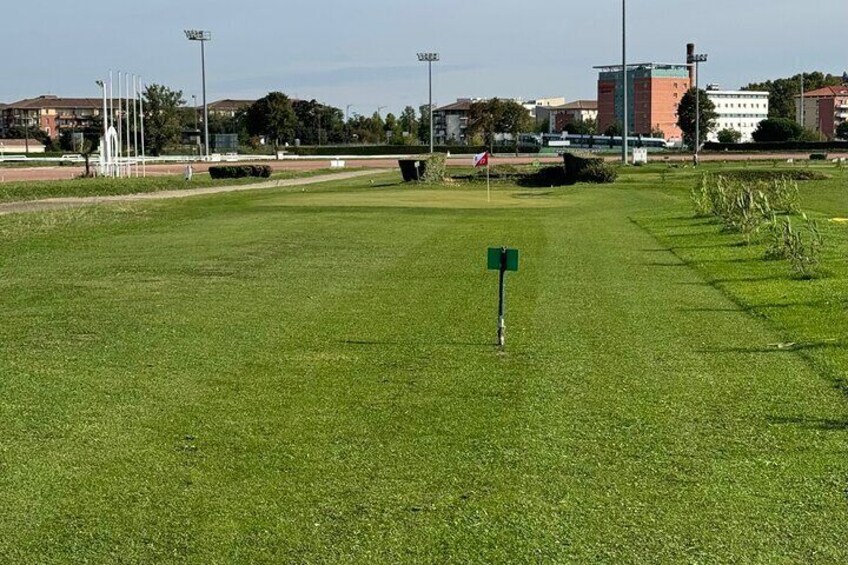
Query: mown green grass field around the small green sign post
(308, 376)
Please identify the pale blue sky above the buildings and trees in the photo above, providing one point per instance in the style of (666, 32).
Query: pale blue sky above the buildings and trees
(362, 52)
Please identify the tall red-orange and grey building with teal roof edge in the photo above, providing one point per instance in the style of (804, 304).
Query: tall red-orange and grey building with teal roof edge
(654, 91)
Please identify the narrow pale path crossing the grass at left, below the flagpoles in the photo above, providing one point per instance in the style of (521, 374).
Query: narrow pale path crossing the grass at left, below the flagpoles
(73, 202)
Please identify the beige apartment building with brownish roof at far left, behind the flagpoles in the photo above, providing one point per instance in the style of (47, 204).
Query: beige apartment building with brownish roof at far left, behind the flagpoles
(53, 114)
